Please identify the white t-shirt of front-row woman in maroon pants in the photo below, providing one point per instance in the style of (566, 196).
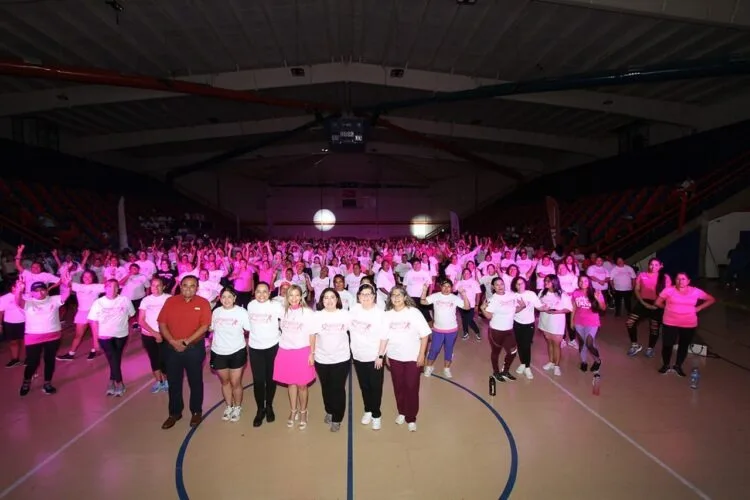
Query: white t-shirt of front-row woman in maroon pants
(405, 329)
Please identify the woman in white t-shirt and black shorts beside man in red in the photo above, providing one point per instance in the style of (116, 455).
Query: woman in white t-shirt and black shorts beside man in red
(229, 351)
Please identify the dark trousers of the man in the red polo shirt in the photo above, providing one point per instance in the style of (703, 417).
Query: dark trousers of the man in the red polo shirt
(188, 362)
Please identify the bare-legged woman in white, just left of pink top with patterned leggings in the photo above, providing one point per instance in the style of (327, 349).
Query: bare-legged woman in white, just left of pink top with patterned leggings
(556, 304)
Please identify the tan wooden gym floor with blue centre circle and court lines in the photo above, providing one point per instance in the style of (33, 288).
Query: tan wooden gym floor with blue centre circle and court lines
(646, 436)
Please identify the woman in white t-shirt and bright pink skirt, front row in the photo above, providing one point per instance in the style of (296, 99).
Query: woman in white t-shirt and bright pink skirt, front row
(294, 363)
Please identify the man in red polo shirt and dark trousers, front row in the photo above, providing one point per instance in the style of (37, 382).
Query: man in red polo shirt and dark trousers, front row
(183, 322)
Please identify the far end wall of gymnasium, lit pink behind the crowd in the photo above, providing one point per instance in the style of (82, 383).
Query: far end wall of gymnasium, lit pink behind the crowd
(371, 196)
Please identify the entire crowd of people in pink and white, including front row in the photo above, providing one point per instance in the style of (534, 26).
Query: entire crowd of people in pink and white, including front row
(305, 310)
